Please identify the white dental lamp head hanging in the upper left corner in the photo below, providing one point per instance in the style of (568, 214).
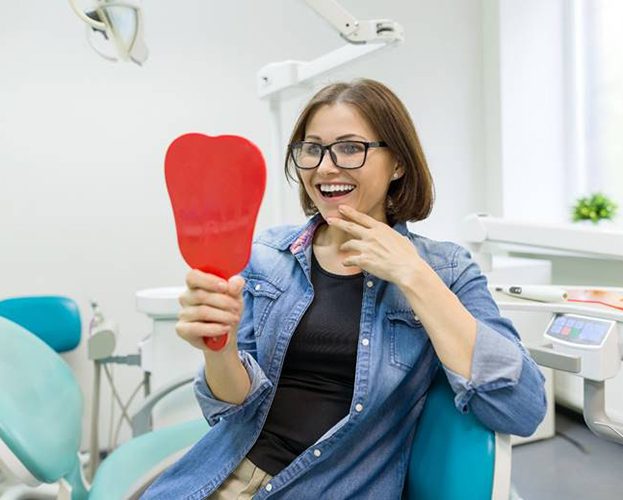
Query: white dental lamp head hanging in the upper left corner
(115, 29)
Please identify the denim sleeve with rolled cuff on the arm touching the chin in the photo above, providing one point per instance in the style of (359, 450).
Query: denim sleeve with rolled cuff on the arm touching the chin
(506, 388)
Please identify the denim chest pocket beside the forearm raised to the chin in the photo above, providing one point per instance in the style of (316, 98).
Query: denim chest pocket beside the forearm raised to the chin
(407, 338)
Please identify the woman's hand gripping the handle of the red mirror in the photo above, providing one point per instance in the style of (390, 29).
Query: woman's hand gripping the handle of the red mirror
(211, 306)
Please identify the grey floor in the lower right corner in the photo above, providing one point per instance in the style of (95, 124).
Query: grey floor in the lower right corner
(574, 465)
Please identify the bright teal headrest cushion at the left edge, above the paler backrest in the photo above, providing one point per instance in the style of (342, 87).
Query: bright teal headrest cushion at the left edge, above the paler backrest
(54, 319)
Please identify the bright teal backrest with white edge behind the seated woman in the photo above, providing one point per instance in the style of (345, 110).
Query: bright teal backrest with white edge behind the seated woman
(454, 456)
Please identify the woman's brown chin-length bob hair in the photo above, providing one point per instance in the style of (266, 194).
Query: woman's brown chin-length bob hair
(409, 198)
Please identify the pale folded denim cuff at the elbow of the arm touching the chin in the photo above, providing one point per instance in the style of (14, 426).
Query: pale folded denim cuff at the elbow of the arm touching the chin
(497, 362)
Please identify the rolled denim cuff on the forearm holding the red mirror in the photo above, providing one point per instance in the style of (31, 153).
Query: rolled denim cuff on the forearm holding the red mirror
(214, 409)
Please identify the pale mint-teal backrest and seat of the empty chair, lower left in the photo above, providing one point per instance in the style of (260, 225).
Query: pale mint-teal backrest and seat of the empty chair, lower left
(40, 425)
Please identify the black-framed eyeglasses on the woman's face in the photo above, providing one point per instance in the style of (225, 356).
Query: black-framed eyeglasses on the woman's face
(345, 154)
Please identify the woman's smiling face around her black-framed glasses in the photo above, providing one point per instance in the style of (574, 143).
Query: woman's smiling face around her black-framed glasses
(339, 122)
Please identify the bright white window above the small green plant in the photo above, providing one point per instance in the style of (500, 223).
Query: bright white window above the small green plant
(597, 45)
